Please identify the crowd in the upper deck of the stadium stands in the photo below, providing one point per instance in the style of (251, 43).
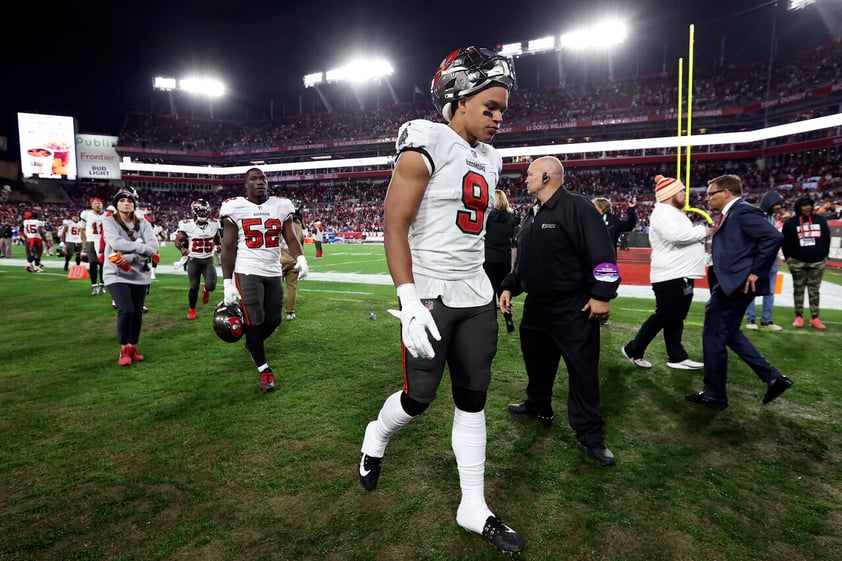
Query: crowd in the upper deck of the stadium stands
(732, 86)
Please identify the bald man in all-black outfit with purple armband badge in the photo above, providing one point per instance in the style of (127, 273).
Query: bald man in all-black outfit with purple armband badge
(567, 267)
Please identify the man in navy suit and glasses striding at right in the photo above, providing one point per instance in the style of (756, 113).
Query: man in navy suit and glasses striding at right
(743, 247)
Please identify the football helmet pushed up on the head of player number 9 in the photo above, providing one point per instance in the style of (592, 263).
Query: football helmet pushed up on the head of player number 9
(467, 71)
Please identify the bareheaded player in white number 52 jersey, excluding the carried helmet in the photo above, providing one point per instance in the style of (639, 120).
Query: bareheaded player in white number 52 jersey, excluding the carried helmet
(252, 227)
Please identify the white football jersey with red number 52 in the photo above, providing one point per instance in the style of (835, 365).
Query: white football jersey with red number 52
(259, 233)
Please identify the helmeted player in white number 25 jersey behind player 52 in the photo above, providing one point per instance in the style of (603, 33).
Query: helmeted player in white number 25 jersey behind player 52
(198, 238)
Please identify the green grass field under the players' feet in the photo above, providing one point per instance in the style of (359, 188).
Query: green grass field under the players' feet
(181, 457)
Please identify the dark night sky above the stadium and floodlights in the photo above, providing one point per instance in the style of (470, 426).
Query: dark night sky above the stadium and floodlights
(97, 62)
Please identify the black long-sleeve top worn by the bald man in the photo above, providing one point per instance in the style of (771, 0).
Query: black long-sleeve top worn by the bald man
(564, 247)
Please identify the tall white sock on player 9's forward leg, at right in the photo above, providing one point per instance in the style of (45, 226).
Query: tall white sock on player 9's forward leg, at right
(468, 442)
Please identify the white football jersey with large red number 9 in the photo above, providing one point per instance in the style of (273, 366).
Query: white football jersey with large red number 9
(447, 237)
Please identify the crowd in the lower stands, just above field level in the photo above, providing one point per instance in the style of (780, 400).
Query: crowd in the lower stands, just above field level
(357, 206)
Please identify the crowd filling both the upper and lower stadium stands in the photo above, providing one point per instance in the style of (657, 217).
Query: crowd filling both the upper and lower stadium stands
(356, 206)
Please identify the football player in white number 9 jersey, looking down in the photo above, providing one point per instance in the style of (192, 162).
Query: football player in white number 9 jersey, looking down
(434, 216)
